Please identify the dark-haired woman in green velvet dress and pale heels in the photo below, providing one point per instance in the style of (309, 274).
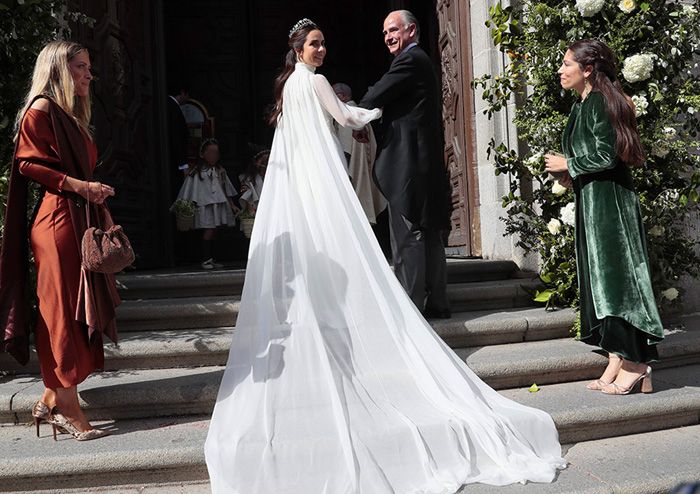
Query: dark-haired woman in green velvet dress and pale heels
(600, 144)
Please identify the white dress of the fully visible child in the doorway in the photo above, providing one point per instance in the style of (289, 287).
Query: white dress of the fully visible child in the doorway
(210, 190)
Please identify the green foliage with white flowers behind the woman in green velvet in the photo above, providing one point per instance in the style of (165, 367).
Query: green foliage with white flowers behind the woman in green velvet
(535, 35)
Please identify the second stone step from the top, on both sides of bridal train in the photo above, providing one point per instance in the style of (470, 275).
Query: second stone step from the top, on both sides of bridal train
(221, 311)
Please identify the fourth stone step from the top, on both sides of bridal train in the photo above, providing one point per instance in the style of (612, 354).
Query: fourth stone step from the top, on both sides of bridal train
(134, 393)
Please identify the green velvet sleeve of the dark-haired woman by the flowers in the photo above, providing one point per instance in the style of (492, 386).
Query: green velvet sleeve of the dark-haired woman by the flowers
(595, 139)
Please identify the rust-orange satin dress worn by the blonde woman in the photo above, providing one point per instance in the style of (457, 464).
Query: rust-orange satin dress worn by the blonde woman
(66, 355)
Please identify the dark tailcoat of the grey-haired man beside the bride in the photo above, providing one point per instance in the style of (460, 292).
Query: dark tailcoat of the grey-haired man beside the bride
(410, 165)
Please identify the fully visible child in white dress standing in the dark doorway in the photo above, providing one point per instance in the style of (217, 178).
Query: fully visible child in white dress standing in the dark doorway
(208, 186)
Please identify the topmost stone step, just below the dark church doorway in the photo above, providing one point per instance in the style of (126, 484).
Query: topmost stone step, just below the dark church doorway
(198, 283)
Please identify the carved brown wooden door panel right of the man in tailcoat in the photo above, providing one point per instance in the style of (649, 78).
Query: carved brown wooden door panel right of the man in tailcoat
(458, 117)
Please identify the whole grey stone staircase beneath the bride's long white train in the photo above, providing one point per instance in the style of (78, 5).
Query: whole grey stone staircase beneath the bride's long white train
(160, 384)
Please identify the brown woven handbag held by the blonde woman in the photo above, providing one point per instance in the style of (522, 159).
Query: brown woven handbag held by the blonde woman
(105, 251)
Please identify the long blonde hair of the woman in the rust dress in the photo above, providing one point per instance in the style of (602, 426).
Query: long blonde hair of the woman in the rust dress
(52, 77)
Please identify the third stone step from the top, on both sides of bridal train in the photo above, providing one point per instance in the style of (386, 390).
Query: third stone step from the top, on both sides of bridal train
(209, 346)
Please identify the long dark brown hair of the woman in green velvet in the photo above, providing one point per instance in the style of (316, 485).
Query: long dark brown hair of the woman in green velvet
(603, 78)
